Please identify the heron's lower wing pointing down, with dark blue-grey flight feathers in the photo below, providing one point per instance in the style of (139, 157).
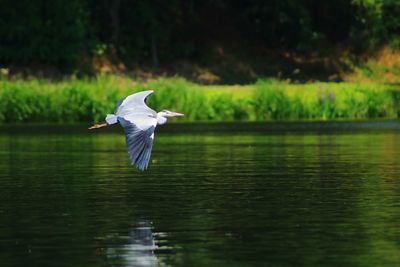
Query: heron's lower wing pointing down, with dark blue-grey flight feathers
(139, 140)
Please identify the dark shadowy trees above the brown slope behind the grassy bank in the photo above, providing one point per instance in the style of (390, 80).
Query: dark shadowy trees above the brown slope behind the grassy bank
(66, 33)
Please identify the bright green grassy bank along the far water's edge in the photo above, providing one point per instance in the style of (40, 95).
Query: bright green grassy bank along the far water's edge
(89, 100)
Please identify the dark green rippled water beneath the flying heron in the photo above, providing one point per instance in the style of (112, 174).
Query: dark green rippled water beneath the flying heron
(214, 195)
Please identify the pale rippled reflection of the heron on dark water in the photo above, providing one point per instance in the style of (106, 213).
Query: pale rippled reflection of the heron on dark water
(138, 248)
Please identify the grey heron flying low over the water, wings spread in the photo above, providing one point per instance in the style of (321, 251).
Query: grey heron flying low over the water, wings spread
(139, 122)
